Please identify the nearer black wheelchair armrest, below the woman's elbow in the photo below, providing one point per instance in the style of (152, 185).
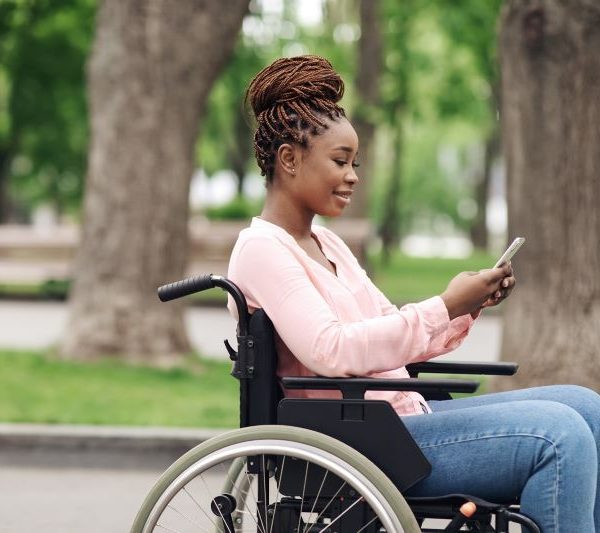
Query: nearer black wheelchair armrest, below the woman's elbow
(355, 388)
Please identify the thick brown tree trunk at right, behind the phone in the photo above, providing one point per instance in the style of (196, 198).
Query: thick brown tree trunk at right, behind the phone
(551, 113)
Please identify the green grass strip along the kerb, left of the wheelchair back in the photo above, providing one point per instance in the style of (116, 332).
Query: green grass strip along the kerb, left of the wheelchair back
(39, 389)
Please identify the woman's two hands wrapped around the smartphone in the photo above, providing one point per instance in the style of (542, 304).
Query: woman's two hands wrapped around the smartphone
(468, 292)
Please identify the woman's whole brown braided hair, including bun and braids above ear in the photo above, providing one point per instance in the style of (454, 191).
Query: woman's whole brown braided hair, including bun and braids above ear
(291, 100)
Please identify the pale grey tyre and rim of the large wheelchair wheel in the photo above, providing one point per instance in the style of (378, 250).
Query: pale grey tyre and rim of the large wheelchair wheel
(295, 440)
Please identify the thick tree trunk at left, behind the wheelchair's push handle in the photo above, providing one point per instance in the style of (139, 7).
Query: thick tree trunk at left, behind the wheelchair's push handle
(149, 75)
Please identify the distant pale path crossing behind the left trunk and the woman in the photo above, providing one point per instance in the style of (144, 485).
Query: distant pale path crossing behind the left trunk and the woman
(35, 325)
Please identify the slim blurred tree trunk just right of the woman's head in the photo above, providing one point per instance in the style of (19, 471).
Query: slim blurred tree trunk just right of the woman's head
(367, 84)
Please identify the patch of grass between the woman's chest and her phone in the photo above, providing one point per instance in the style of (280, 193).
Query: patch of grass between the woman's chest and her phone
(409, 279)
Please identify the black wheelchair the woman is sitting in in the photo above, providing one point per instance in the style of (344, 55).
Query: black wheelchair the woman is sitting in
(313, 465)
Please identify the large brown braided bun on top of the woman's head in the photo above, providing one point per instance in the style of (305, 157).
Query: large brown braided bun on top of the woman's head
(301, 78)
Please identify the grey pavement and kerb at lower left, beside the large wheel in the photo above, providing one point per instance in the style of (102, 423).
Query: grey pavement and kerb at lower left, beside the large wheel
(89, 479)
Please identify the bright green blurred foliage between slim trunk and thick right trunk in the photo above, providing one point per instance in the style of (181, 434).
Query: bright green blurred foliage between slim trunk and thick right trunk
(436, 109)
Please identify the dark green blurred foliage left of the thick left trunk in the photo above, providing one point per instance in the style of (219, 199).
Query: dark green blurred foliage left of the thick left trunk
(43, 115)
